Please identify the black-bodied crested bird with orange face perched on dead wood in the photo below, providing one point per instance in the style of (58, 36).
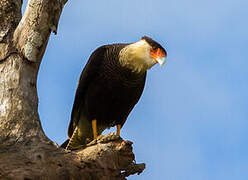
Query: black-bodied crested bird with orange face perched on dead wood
(109, 87)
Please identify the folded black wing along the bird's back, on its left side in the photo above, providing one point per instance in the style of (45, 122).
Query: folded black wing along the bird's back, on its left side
(89, 72)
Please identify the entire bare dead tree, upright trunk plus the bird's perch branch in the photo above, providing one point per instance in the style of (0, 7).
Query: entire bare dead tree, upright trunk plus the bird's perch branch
(25, 151)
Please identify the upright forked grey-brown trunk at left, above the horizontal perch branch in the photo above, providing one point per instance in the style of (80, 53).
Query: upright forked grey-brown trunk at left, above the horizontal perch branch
(19, 119)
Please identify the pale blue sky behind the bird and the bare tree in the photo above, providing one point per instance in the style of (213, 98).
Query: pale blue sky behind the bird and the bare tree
(192, 120)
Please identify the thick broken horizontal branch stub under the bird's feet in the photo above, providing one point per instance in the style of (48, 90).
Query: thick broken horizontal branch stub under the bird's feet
(104, 160)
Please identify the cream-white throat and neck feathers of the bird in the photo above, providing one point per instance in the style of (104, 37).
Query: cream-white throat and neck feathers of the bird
(136, 56)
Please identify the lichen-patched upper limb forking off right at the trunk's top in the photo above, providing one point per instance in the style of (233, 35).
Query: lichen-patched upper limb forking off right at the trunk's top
(40, 18)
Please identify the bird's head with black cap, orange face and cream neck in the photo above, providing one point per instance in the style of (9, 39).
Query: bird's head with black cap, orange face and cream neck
(142, 55)
